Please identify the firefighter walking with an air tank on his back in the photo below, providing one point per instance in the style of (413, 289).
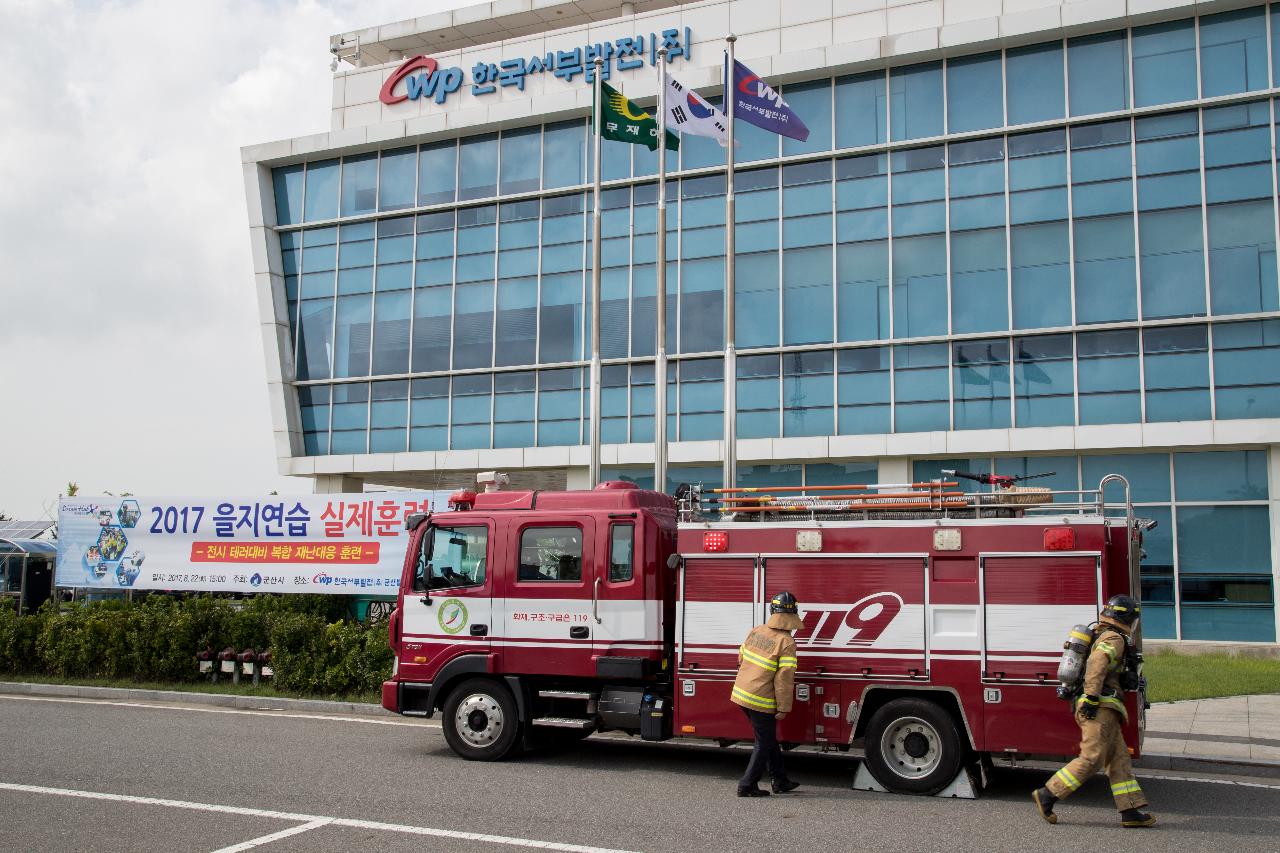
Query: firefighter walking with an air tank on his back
(1101, 715)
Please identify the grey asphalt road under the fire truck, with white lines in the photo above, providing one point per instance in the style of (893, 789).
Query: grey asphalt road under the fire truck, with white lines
(84, 776)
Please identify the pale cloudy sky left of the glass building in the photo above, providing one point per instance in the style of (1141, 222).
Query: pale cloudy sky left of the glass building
(131, 358)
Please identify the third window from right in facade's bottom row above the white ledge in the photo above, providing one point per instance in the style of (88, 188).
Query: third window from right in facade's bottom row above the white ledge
(1109, 377)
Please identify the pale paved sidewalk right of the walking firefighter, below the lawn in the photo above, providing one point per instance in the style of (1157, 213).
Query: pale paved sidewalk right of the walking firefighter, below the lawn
(1235, 729)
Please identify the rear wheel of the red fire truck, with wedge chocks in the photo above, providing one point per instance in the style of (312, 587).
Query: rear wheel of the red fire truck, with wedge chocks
(915, 747)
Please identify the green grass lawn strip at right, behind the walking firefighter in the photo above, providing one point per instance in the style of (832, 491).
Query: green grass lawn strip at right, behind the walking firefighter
(1172, 677)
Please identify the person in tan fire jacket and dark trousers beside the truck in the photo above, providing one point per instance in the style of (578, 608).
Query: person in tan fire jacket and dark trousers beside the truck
(765, 688)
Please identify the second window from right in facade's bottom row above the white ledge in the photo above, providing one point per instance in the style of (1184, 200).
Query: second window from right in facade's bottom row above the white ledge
(1176, 362)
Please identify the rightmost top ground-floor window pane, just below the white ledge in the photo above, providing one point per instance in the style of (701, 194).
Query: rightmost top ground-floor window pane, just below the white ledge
(1204, 549)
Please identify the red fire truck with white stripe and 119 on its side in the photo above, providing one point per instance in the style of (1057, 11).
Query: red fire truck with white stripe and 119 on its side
(934, 619)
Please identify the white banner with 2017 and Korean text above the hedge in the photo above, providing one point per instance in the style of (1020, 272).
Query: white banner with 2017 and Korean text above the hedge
(312, 544)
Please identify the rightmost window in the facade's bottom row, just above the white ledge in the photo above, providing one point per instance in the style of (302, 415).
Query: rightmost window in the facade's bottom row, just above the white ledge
(1247, 370)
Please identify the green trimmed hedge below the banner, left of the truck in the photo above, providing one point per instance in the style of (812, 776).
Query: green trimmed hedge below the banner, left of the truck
(314, 647)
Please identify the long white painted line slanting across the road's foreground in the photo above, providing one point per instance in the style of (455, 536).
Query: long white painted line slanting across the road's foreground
(308, 819)
